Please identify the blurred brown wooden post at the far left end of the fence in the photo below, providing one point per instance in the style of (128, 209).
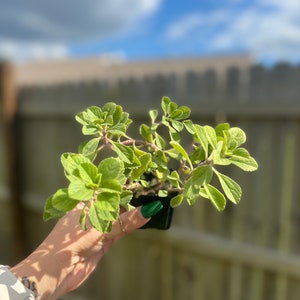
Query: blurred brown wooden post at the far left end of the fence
(8, 101)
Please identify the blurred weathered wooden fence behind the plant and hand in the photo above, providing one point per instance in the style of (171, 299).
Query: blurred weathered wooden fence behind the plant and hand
(250, 251)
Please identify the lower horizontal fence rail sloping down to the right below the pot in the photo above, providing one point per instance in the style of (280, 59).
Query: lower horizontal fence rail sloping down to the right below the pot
(212, 246)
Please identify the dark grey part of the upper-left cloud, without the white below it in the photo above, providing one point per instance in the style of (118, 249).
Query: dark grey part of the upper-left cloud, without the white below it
(70, 20)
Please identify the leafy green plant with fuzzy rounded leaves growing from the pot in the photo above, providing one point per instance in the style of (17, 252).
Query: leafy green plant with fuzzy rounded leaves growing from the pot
(155, 163)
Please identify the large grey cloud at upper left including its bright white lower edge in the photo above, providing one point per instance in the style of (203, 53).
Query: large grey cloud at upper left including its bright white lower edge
(44, 28)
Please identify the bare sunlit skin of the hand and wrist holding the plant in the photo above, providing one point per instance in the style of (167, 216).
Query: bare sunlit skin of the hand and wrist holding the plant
(68, 255)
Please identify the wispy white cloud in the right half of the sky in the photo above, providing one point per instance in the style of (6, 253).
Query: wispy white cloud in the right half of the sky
(269, 30)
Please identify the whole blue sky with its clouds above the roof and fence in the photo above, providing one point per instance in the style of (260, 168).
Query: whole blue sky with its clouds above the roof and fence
(266, 30)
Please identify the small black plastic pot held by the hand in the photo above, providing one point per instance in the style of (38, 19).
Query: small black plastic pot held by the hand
(162, 220)
